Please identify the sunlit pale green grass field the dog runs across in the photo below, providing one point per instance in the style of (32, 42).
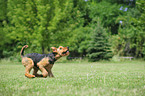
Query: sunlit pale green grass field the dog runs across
(76, 79)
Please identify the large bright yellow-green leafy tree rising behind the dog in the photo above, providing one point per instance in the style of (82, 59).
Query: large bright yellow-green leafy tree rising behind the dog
(37, 23)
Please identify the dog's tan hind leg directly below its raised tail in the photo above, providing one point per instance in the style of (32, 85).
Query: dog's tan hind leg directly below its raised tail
(29, 64)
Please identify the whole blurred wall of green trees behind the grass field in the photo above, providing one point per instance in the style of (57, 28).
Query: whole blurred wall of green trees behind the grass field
(94, 29)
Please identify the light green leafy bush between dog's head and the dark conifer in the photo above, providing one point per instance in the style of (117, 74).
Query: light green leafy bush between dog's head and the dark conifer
(79, 41)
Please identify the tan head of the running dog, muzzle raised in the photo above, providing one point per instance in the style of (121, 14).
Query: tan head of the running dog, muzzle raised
(62, 51)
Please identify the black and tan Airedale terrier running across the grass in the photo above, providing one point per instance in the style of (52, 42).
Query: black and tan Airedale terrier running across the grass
(42, 62)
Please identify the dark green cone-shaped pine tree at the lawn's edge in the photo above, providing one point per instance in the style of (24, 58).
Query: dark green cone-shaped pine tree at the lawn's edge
(99, 47)
